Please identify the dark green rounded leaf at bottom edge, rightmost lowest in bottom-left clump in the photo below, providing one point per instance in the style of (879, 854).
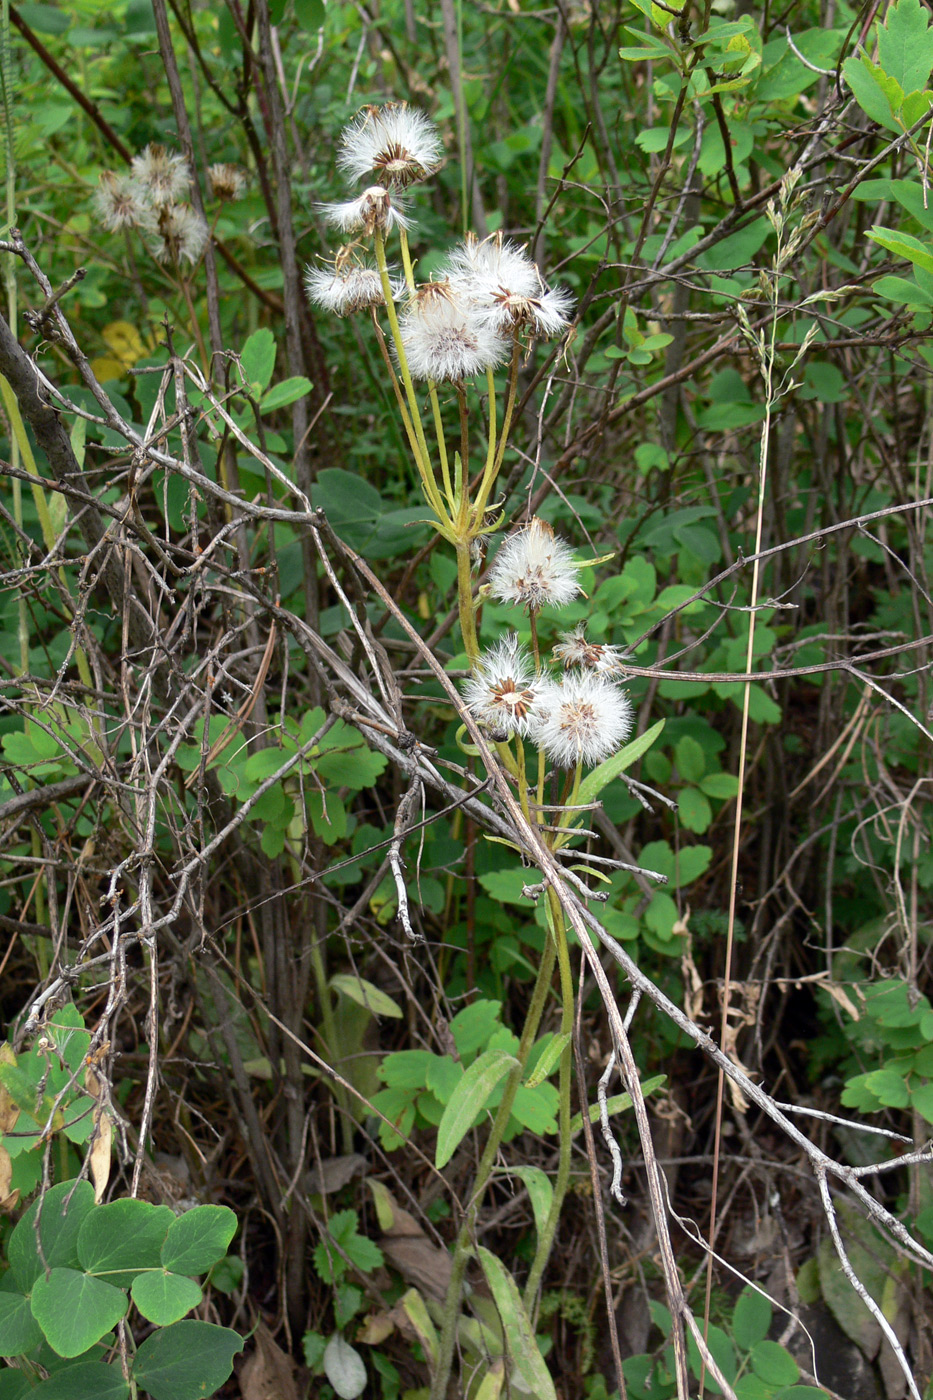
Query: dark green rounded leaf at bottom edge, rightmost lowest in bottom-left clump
(187, 1361)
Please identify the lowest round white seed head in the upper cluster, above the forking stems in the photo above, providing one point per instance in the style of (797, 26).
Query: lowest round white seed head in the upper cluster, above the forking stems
(445, 339)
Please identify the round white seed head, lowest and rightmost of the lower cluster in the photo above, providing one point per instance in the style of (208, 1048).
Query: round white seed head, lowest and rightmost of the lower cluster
(585, 719)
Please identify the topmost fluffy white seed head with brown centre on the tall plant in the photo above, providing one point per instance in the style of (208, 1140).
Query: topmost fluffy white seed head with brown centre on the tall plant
(396, 143)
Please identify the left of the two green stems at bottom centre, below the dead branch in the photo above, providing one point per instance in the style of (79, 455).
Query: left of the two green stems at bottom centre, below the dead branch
(463, 1248)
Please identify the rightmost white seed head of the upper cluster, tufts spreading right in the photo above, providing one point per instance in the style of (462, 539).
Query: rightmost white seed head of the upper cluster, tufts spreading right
(508, 288)
